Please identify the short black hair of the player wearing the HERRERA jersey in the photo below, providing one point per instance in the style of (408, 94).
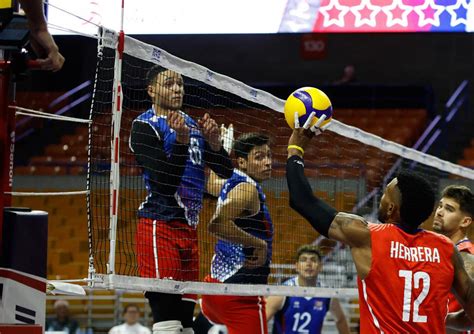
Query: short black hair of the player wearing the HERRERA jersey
(417, 199)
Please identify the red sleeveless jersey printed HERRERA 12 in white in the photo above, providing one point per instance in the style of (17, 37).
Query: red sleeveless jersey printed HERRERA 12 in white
(407, 287)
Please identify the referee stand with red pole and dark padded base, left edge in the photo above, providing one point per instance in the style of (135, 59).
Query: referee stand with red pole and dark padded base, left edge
(23, 232)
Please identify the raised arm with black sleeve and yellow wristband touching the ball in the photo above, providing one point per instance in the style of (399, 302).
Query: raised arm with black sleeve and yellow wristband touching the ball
(347, 228)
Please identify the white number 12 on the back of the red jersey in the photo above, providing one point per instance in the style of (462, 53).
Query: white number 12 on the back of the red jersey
(414, 279)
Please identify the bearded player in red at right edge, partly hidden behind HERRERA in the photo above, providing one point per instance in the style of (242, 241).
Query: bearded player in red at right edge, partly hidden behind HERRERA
(453, 217)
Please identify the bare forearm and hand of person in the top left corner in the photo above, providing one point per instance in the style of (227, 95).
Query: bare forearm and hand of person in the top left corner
(41, 40)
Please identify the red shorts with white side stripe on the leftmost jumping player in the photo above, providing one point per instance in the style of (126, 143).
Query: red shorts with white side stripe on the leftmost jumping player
(167, 250)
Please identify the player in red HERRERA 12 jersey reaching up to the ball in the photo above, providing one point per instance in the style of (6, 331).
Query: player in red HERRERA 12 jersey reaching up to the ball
(404, 273)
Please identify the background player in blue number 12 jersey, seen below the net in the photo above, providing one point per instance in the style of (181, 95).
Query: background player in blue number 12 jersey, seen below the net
(304, 314)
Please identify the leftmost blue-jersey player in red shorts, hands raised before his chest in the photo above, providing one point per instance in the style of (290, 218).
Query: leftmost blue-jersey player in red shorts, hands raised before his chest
(172, 150)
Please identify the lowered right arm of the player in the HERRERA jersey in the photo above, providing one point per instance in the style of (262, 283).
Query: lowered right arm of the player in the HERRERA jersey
(463, 284)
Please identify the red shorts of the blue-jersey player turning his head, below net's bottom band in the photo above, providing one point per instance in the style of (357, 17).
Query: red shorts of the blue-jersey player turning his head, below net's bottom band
(240, 314)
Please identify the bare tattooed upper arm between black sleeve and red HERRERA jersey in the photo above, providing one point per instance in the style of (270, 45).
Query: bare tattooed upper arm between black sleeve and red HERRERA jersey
(350, 229)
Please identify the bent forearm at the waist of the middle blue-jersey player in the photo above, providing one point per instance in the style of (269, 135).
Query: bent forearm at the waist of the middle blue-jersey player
(225, 229)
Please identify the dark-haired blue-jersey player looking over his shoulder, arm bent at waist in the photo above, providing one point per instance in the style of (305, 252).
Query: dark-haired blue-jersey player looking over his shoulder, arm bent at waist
(244, 230)
